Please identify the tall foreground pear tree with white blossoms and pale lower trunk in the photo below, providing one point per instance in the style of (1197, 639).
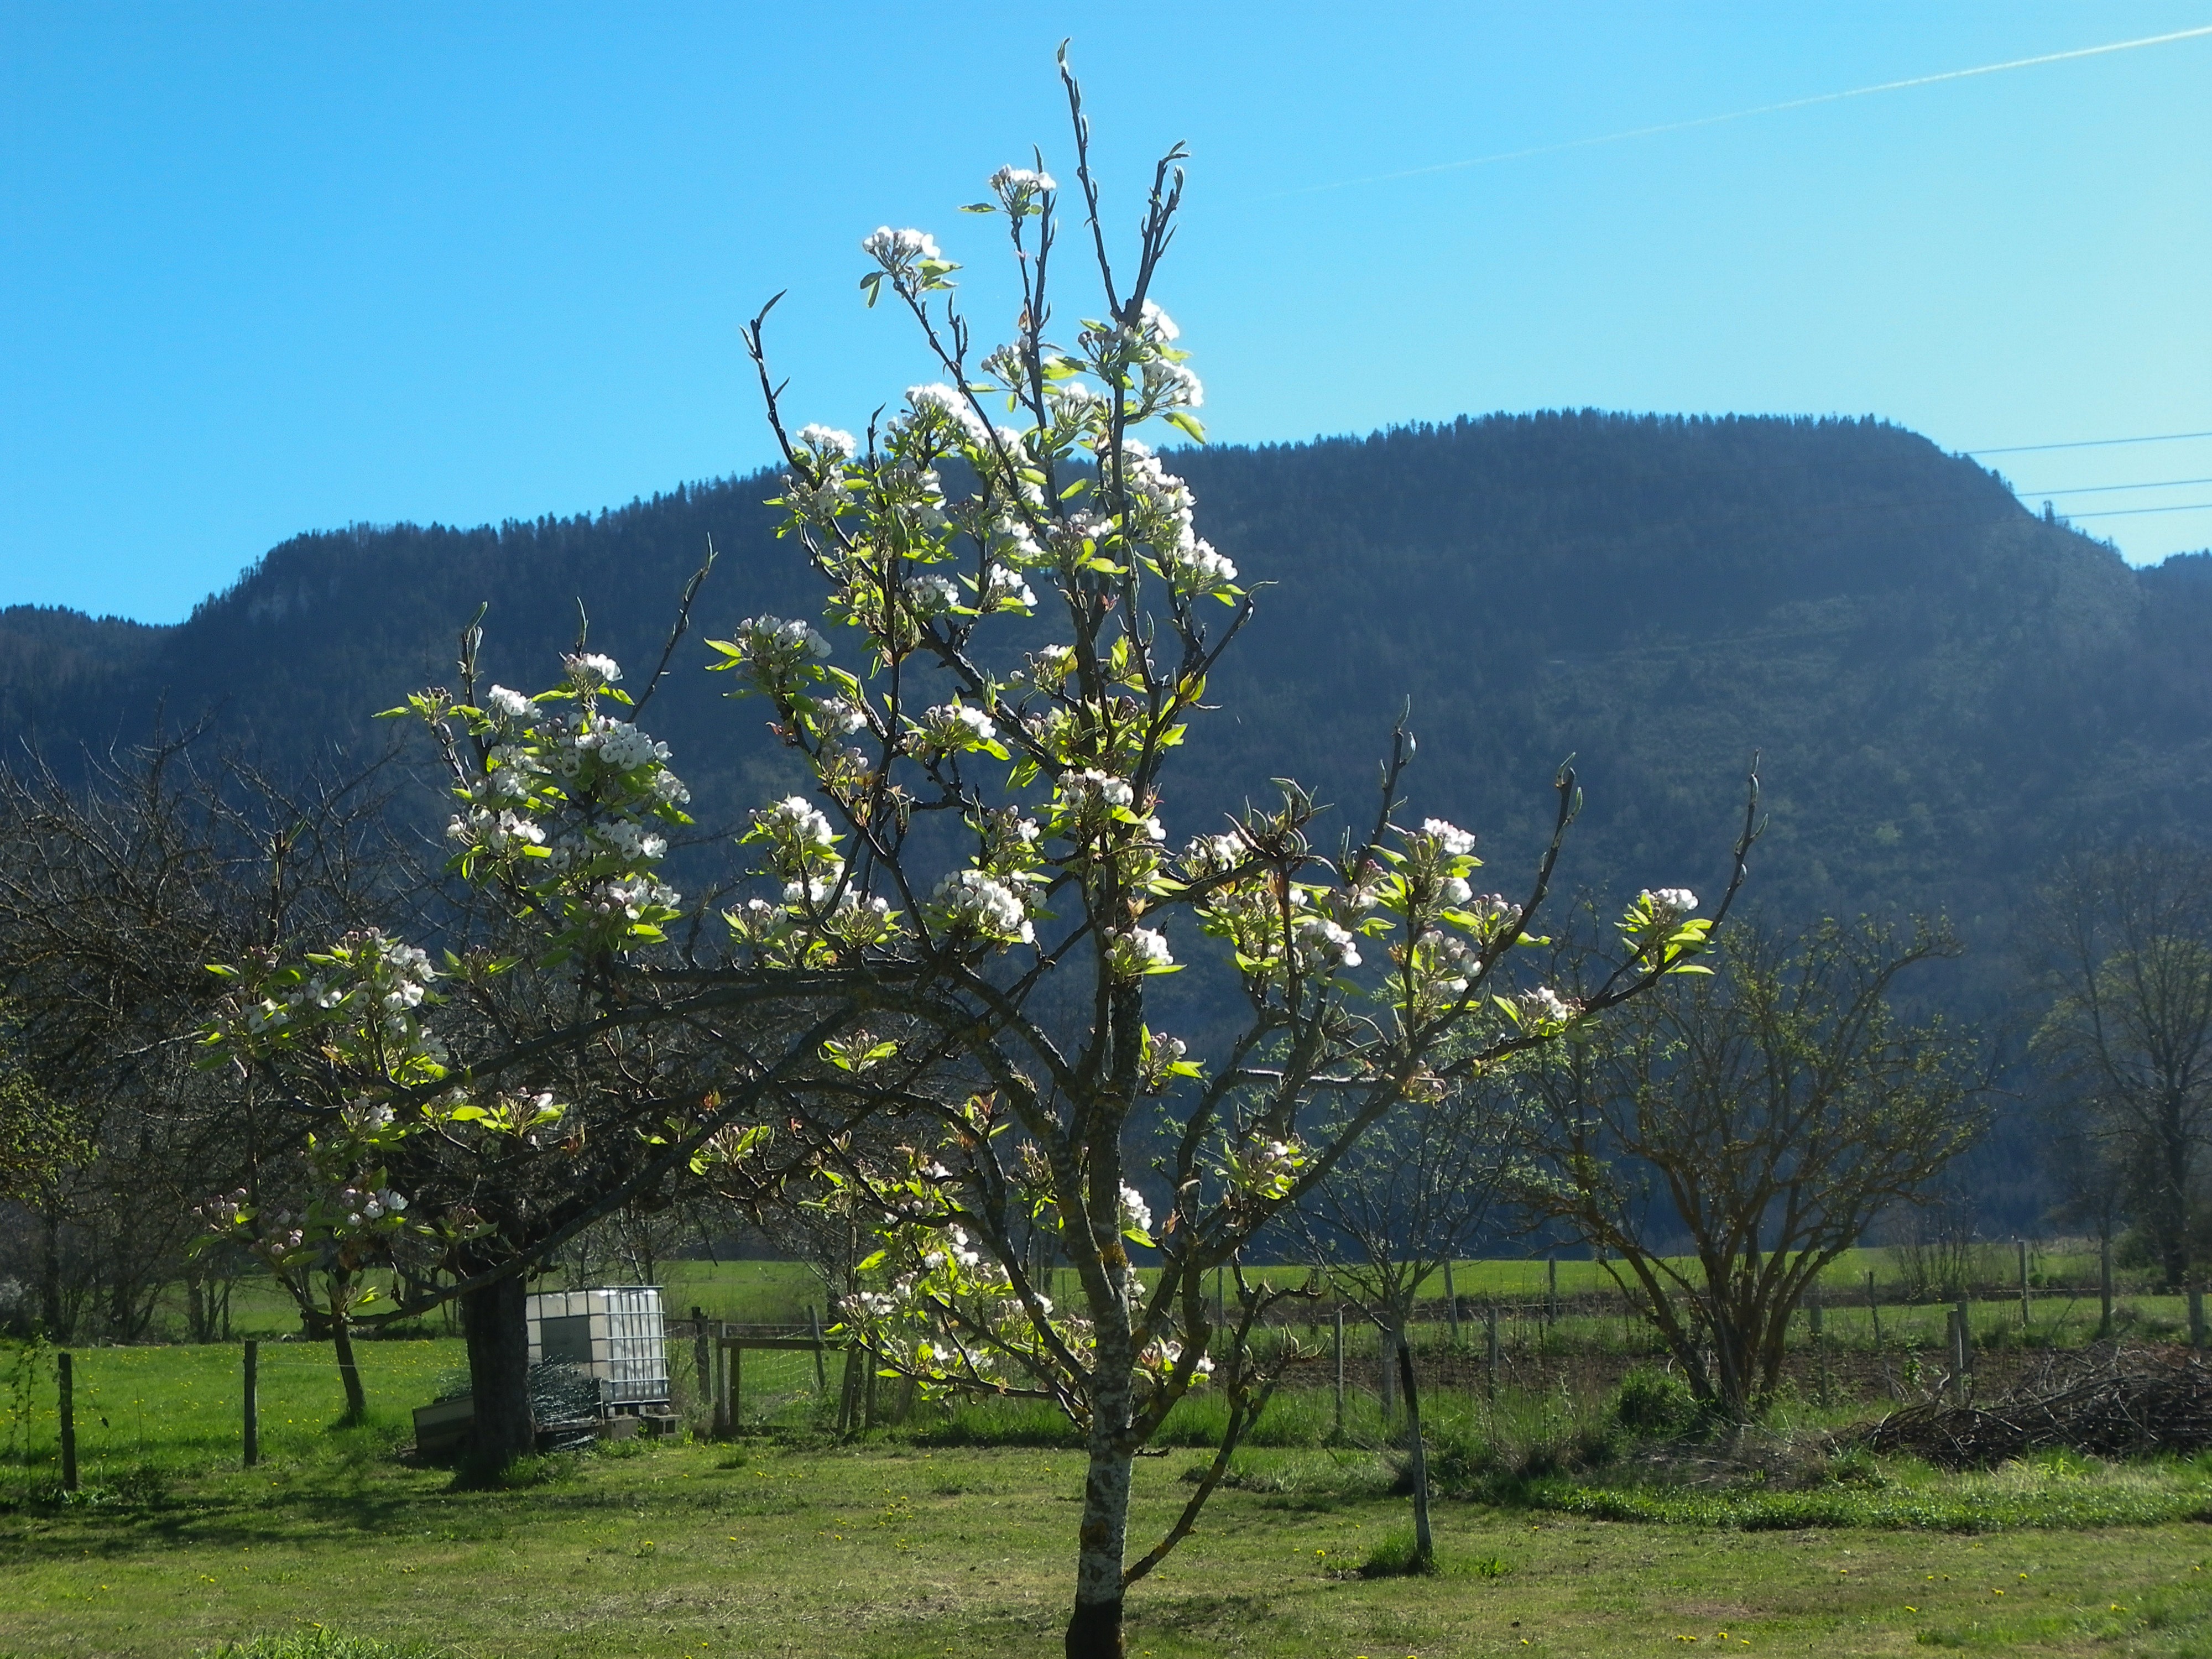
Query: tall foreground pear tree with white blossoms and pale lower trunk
(1012, 494)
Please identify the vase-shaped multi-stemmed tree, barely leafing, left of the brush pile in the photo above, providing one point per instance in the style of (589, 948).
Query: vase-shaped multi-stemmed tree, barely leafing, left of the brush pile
(1771, 1114)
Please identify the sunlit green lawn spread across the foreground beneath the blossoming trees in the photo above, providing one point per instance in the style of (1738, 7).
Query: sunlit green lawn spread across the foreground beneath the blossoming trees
(917, 1547)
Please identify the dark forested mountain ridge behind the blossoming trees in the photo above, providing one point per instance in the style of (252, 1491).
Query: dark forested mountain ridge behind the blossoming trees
(1943, 687)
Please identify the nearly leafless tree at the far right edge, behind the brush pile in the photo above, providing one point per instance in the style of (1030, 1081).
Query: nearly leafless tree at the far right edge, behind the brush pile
(2125, 946)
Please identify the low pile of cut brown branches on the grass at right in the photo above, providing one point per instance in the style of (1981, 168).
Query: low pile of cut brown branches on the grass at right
(2116, 1404)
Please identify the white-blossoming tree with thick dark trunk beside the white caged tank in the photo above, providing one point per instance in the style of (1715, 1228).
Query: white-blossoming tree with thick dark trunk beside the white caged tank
(457, 1123)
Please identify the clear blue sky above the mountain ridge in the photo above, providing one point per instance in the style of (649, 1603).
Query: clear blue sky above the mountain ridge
(278, 269)
